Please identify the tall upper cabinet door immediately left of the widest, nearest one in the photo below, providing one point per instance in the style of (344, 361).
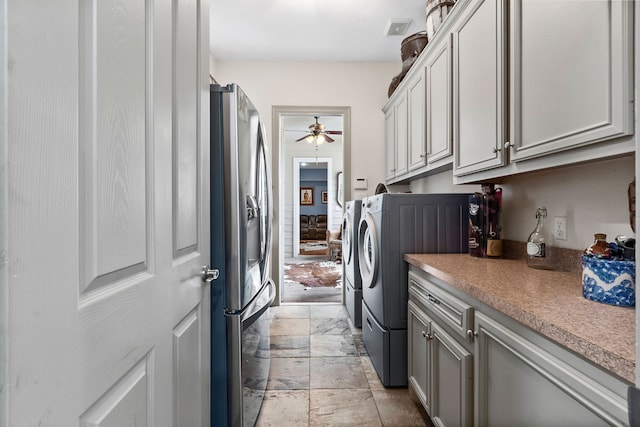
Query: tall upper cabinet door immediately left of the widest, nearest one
(478, 87)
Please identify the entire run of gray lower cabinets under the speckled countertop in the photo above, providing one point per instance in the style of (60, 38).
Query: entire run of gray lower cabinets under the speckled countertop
(471, 365)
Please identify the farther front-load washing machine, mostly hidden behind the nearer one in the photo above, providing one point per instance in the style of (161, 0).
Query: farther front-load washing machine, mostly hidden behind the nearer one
(351, 261)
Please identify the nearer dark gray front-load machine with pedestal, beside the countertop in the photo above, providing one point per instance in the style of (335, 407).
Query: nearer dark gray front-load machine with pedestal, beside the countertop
(390, 226)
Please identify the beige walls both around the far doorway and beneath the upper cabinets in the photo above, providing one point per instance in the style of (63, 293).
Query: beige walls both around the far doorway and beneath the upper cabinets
(593, 197)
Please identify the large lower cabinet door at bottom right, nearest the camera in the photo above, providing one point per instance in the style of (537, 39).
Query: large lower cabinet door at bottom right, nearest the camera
(520, 384)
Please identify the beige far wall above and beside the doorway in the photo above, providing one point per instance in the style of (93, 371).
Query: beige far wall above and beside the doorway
(361, 86)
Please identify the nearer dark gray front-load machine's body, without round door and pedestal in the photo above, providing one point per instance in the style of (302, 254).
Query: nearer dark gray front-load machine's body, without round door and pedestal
(409, 223)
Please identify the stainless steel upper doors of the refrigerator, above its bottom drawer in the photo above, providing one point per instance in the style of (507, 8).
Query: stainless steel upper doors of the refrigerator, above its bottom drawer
(247, 199)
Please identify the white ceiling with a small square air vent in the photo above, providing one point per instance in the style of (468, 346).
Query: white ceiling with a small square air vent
(310, 30)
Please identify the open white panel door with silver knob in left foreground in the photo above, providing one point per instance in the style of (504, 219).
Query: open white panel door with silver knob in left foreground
(104, 213)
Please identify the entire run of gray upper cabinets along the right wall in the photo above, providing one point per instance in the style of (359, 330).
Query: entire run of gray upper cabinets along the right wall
(513, 86)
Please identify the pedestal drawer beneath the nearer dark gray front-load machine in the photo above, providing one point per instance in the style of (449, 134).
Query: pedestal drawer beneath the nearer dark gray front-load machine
(387, 350)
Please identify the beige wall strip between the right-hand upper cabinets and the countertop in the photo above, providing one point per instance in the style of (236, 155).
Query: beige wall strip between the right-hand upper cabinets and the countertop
(593, 197)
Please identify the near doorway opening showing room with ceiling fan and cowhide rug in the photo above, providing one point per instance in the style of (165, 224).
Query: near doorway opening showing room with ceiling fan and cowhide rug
(308, 202)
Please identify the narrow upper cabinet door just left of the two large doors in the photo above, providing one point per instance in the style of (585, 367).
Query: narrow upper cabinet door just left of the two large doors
(438, 82)
